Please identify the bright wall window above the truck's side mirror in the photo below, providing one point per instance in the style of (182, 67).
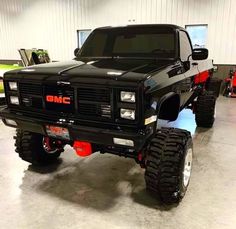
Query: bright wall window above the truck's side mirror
(198, 35)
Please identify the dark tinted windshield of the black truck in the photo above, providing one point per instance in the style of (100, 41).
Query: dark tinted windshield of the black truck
(130, 42)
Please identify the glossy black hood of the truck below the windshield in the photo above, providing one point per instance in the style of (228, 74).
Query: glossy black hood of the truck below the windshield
(117, 69)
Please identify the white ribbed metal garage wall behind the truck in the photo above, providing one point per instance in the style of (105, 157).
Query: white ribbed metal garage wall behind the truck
(52, 24)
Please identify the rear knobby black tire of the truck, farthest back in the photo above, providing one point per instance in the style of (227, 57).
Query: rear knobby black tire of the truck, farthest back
(205, 110)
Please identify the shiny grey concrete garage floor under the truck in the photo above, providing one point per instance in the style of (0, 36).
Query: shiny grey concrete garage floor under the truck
(105, 191)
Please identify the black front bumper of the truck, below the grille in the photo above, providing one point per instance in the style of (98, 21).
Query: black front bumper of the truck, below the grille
(99, 136)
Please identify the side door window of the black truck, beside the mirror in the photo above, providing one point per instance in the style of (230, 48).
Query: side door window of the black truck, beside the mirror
(185, 46)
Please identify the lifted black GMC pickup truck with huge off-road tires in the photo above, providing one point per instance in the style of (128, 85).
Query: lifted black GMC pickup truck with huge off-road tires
(109, 99)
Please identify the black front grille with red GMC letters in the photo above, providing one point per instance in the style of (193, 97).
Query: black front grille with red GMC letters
(85, 103)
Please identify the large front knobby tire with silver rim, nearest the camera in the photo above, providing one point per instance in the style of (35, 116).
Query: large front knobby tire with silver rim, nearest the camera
(169, 164)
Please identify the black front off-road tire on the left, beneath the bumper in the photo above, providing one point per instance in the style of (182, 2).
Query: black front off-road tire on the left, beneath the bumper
(30, 148)
